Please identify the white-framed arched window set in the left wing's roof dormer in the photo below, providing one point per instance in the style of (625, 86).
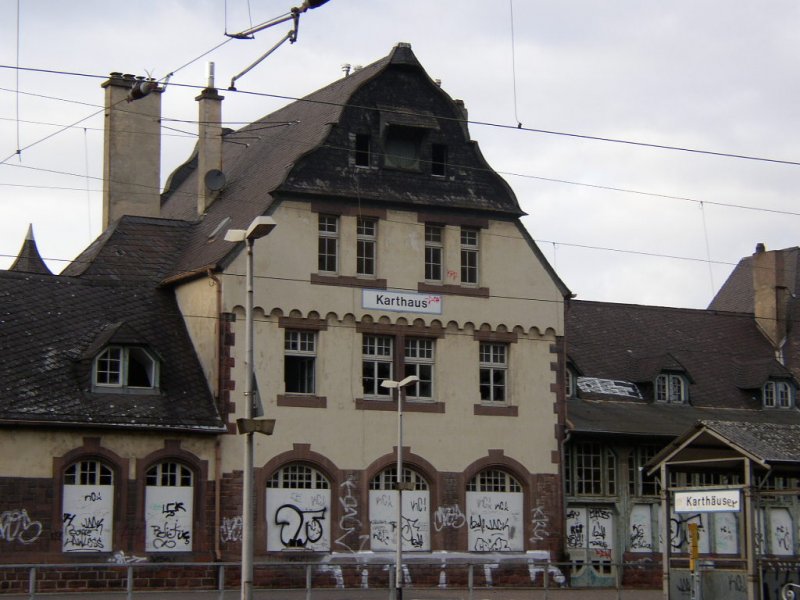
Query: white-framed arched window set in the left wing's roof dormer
(122, 374)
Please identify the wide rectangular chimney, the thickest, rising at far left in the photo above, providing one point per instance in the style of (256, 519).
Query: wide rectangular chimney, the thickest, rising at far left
(131, 148)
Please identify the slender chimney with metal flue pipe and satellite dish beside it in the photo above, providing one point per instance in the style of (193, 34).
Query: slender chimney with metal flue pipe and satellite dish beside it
(210, 179)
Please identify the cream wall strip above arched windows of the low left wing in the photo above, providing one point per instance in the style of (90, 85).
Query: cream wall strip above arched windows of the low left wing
(26, 445)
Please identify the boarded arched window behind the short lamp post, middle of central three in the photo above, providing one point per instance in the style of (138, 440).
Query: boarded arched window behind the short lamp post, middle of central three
(415, 522)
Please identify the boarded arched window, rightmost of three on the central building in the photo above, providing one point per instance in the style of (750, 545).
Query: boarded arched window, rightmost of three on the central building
(494, 512)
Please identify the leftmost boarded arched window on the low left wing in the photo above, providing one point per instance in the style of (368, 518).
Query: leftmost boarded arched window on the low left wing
(87, 507)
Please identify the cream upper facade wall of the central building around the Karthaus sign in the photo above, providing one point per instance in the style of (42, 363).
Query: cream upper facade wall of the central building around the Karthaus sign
(522, 296)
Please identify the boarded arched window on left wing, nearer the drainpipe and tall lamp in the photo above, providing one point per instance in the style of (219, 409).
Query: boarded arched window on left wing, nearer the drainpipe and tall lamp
(169, 507)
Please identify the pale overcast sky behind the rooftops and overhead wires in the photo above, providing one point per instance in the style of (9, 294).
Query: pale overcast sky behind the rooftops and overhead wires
(619, 222)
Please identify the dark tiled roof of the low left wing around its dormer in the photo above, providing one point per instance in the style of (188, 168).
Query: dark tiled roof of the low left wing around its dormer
(51, 326)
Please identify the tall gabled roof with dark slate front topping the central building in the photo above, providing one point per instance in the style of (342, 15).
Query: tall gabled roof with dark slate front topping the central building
(286, 154)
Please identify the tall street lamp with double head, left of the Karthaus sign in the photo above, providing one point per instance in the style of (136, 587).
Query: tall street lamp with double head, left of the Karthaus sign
(260, 227)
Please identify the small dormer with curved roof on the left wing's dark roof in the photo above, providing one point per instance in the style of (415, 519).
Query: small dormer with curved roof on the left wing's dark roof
(123, 362)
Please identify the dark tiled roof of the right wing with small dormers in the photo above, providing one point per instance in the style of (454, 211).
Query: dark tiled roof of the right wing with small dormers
(723, 355)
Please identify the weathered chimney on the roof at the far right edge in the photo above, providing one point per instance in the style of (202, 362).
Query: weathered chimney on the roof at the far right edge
(771, 296)
